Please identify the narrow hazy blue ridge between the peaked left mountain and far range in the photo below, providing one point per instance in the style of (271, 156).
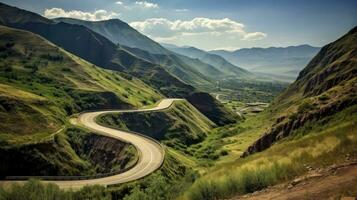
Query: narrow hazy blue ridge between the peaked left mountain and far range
(215, 60)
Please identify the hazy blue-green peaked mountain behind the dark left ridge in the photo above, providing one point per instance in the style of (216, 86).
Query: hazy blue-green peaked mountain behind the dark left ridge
(187, 68)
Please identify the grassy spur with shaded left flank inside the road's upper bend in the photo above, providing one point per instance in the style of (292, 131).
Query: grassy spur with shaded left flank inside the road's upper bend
(179, 126)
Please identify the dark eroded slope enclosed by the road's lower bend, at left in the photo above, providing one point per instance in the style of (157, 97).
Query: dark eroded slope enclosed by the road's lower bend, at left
(76, 154)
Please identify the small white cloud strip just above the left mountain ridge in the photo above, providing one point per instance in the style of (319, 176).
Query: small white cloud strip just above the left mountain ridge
(94, 16)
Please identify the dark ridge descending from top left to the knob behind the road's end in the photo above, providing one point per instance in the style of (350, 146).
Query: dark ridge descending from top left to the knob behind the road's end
(97, 49)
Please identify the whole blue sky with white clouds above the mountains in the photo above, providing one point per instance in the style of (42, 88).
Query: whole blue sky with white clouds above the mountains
(215, 24)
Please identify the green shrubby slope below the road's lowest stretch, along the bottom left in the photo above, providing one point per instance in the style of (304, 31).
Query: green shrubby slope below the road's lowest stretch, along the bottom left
(166, 183)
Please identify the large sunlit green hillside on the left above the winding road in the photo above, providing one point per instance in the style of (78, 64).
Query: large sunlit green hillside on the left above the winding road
(38, 77)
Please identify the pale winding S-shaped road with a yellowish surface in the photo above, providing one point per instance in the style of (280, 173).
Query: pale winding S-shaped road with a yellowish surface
(151, 153)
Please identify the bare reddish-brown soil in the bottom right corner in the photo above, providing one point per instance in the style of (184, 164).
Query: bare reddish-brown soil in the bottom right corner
(334, 182)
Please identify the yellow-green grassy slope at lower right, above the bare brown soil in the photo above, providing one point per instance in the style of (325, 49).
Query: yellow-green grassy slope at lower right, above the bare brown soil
(319, 146)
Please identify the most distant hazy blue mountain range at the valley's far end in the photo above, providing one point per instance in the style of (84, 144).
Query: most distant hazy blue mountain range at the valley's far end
(284, 61)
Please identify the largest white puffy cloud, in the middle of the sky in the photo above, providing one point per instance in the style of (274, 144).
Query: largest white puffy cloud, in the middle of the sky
(165, 30)
